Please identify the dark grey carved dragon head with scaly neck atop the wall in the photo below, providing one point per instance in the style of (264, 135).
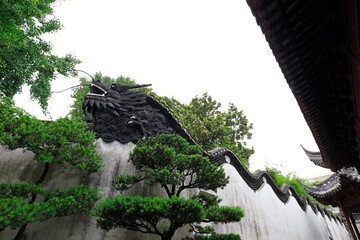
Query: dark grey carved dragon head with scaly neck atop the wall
(119, 113)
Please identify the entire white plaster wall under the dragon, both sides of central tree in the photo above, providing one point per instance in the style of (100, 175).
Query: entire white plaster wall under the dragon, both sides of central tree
(266, 217)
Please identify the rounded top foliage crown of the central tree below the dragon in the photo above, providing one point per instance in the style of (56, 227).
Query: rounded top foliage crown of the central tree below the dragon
(171, 161)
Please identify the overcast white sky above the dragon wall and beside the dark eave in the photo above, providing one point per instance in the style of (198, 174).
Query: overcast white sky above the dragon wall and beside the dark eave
(185, 48)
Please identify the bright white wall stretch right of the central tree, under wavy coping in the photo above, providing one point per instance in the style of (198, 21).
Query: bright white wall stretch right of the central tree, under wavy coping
(266, 217)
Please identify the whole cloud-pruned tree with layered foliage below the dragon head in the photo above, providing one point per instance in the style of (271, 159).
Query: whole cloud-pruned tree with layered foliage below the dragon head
(172, 162)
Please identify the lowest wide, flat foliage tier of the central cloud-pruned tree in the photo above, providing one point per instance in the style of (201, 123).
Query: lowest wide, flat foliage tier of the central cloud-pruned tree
(145, 213)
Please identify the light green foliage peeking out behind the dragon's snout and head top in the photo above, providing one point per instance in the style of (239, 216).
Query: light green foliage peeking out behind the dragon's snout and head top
(76, 112)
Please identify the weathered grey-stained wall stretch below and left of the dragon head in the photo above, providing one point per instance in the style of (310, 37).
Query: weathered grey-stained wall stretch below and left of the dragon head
(18, 166)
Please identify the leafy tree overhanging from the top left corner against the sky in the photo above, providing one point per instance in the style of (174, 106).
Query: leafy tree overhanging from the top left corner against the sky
(25, 57)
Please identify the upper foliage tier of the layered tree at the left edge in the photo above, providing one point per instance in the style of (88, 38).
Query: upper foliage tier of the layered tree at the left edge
(57, 141)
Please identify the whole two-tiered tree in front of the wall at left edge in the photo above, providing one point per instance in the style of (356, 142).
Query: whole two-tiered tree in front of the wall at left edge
(62, 141)
